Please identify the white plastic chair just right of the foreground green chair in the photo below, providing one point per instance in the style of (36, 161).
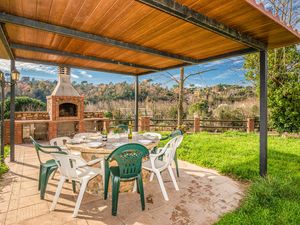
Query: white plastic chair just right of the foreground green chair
(156, 166)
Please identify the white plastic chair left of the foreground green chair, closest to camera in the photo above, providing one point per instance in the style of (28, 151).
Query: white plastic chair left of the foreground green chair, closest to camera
(75, 168)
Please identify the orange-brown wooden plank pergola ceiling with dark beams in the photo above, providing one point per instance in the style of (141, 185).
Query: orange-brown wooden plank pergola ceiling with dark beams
(137, 37)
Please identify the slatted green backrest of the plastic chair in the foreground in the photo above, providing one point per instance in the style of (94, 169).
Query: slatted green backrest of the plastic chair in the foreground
(129, 158)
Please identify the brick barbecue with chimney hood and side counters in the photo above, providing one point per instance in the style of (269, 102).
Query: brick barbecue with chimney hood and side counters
(65, 115)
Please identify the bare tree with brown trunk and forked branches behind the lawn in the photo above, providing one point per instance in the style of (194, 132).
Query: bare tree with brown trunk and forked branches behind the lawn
(181, 82)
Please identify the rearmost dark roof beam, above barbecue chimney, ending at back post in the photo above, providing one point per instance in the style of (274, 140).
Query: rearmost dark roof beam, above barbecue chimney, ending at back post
(71, 66)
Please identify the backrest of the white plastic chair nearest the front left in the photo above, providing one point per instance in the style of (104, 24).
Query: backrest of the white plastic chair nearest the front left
(67, 164)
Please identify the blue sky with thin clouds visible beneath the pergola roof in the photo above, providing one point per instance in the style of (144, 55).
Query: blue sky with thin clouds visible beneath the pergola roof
(227, 71)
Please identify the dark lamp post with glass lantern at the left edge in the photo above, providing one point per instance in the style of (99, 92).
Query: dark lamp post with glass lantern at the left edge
(15, 76)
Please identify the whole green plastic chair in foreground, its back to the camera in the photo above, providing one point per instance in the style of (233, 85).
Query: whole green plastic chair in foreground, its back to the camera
(129, 166)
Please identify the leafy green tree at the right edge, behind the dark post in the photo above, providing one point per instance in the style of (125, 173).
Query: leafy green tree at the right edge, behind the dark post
(284, 76)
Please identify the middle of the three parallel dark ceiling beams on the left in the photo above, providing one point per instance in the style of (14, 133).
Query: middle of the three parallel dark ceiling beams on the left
(79, 56)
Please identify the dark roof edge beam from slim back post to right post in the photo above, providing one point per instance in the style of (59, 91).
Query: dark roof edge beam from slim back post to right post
(209, 59)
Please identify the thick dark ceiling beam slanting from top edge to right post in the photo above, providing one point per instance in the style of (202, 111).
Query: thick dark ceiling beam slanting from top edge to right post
(183, 12)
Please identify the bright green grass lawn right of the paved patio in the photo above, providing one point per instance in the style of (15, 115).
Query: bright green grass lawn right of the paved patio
(274, 200)
